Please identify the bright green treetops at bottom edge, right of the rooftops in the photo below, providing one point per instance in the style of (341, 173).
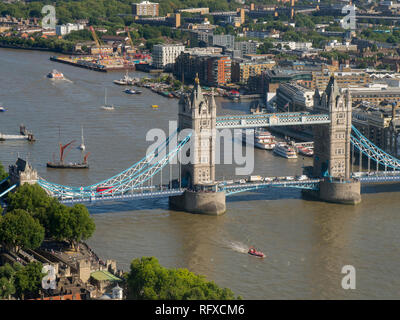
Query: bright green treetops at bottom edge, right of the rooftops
(148, 280)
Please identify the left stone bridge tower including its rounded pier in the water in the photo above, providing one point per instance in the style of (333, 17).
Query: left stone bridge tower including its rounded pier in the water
(202, 196)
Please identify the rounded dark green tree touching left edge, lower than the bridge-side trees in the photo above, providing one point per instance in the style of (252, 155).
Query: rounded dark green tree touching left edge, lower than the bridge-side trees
(19, 229)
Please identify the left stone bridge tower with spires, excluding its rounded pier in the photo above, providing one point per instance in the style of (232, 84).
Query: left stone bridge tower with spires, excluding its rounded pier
(198, 113)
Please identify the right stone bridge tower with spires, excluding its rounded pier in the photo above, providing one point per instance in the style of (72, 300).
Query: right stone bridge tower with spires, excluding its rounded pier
(332, 141)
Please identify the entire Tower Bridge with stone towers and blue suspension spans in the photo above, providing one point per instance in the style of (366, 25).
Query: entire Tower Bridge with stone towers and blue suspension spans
(196, 189)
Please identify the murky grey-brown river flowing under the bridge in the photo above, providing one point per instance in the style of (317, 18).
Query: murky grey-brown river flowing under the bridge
(306, 242)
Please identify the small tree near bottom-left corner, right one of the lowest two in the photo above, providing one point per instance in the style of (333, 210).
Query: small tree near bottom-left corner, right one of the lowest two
(28, 279)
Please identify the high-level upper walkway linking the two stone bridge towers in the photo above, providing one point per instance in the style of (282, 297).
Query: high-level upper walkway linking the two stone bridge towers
(271, 119)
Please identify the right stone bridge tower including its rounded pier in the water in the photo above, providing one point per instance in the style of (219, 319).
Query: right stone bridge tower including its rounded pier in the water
(332, 146)
